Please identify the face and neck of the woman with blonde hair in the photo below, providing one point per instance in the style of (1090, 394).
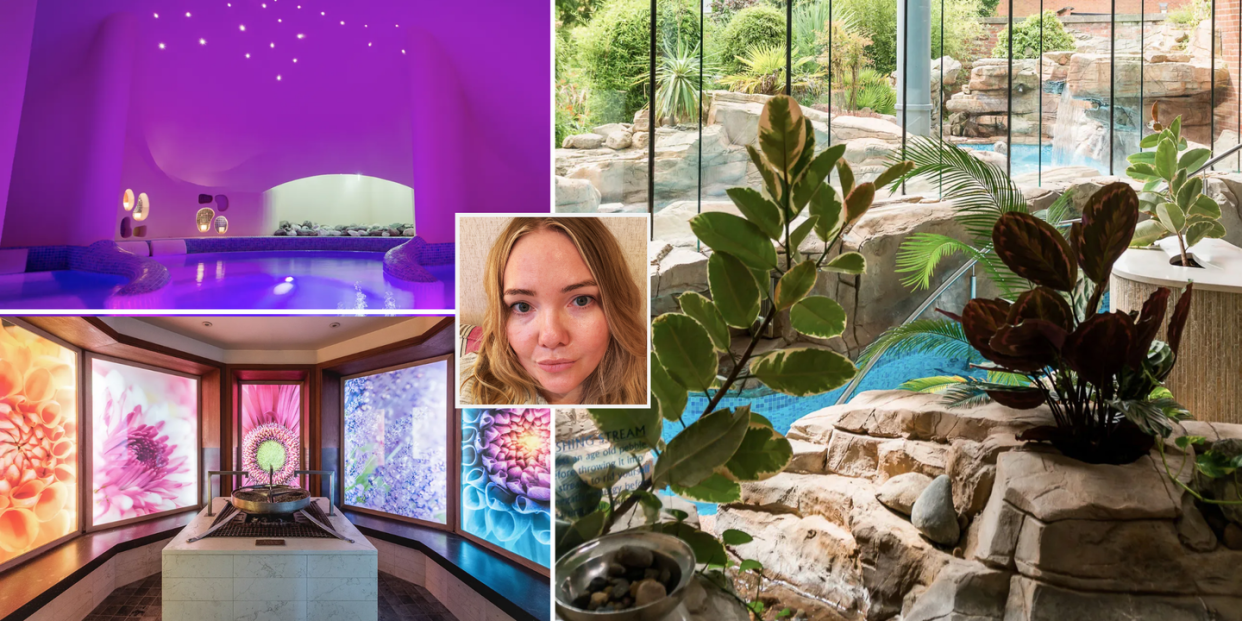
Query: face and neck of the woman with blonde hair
(557, 326)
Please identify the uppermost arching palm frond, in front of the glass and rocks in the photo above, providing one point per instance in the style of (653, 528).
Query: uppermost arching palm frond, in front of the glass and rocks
(981, 192)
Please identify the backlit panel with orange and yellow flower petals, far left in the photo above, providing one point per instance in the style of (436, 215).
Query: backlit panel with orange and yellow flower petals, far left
(39, 425)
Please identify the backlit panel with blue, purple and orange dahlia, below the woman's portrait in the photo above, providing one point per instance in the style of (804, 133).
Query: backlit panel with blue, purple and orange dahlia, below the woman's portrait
(506, 483)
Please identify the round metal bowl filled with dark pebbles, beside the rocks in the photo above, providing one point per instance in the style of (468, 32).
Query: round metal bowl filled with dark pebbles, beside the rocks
(625, 577)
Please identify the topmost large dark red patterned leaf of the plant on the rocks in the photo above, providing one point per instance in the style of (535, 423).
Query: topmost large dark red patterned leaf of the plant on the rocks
(1107, 227)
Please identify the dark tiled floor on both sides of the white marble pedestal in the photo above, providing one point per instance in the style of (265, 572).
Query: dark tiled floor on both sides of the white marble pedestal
(399, 602)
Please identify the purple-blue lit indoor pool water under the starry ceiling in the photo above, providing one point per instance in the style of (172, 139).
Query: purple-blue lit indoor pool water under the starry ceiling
(290, 280)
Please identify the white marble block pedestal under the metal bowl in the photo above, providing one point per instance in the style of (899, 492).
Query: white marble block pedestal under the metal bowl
(219, 579)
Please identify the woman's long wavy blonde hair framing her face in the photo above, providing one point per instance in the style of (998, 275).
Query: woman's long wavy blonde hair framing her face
(622, 377)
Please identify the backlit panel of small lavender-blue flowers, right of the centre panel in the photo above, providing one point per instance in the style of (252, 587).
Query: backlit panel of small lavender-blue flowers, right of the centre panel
(397, 428)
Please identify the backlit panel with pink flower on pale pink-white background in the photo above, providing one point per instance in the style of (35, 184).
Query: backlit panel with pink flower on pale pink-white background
(145, 454)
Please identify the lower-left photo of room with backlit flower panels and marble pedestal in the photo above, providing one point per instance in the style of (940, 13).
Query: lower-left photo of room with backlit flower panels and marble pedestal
(266, 469)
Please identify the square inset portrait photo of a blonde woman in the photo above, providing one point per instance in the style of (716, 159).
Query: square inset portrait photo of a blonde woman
(552, 310)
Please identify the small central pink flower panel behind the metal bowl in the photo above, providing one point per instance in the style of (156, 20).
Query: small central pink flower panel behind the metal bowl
(271, 433)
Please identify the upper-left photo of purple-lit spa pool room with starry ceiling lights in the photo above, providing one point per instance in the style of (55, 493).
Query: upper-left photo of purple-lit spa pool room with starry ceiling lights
(261, 155)
